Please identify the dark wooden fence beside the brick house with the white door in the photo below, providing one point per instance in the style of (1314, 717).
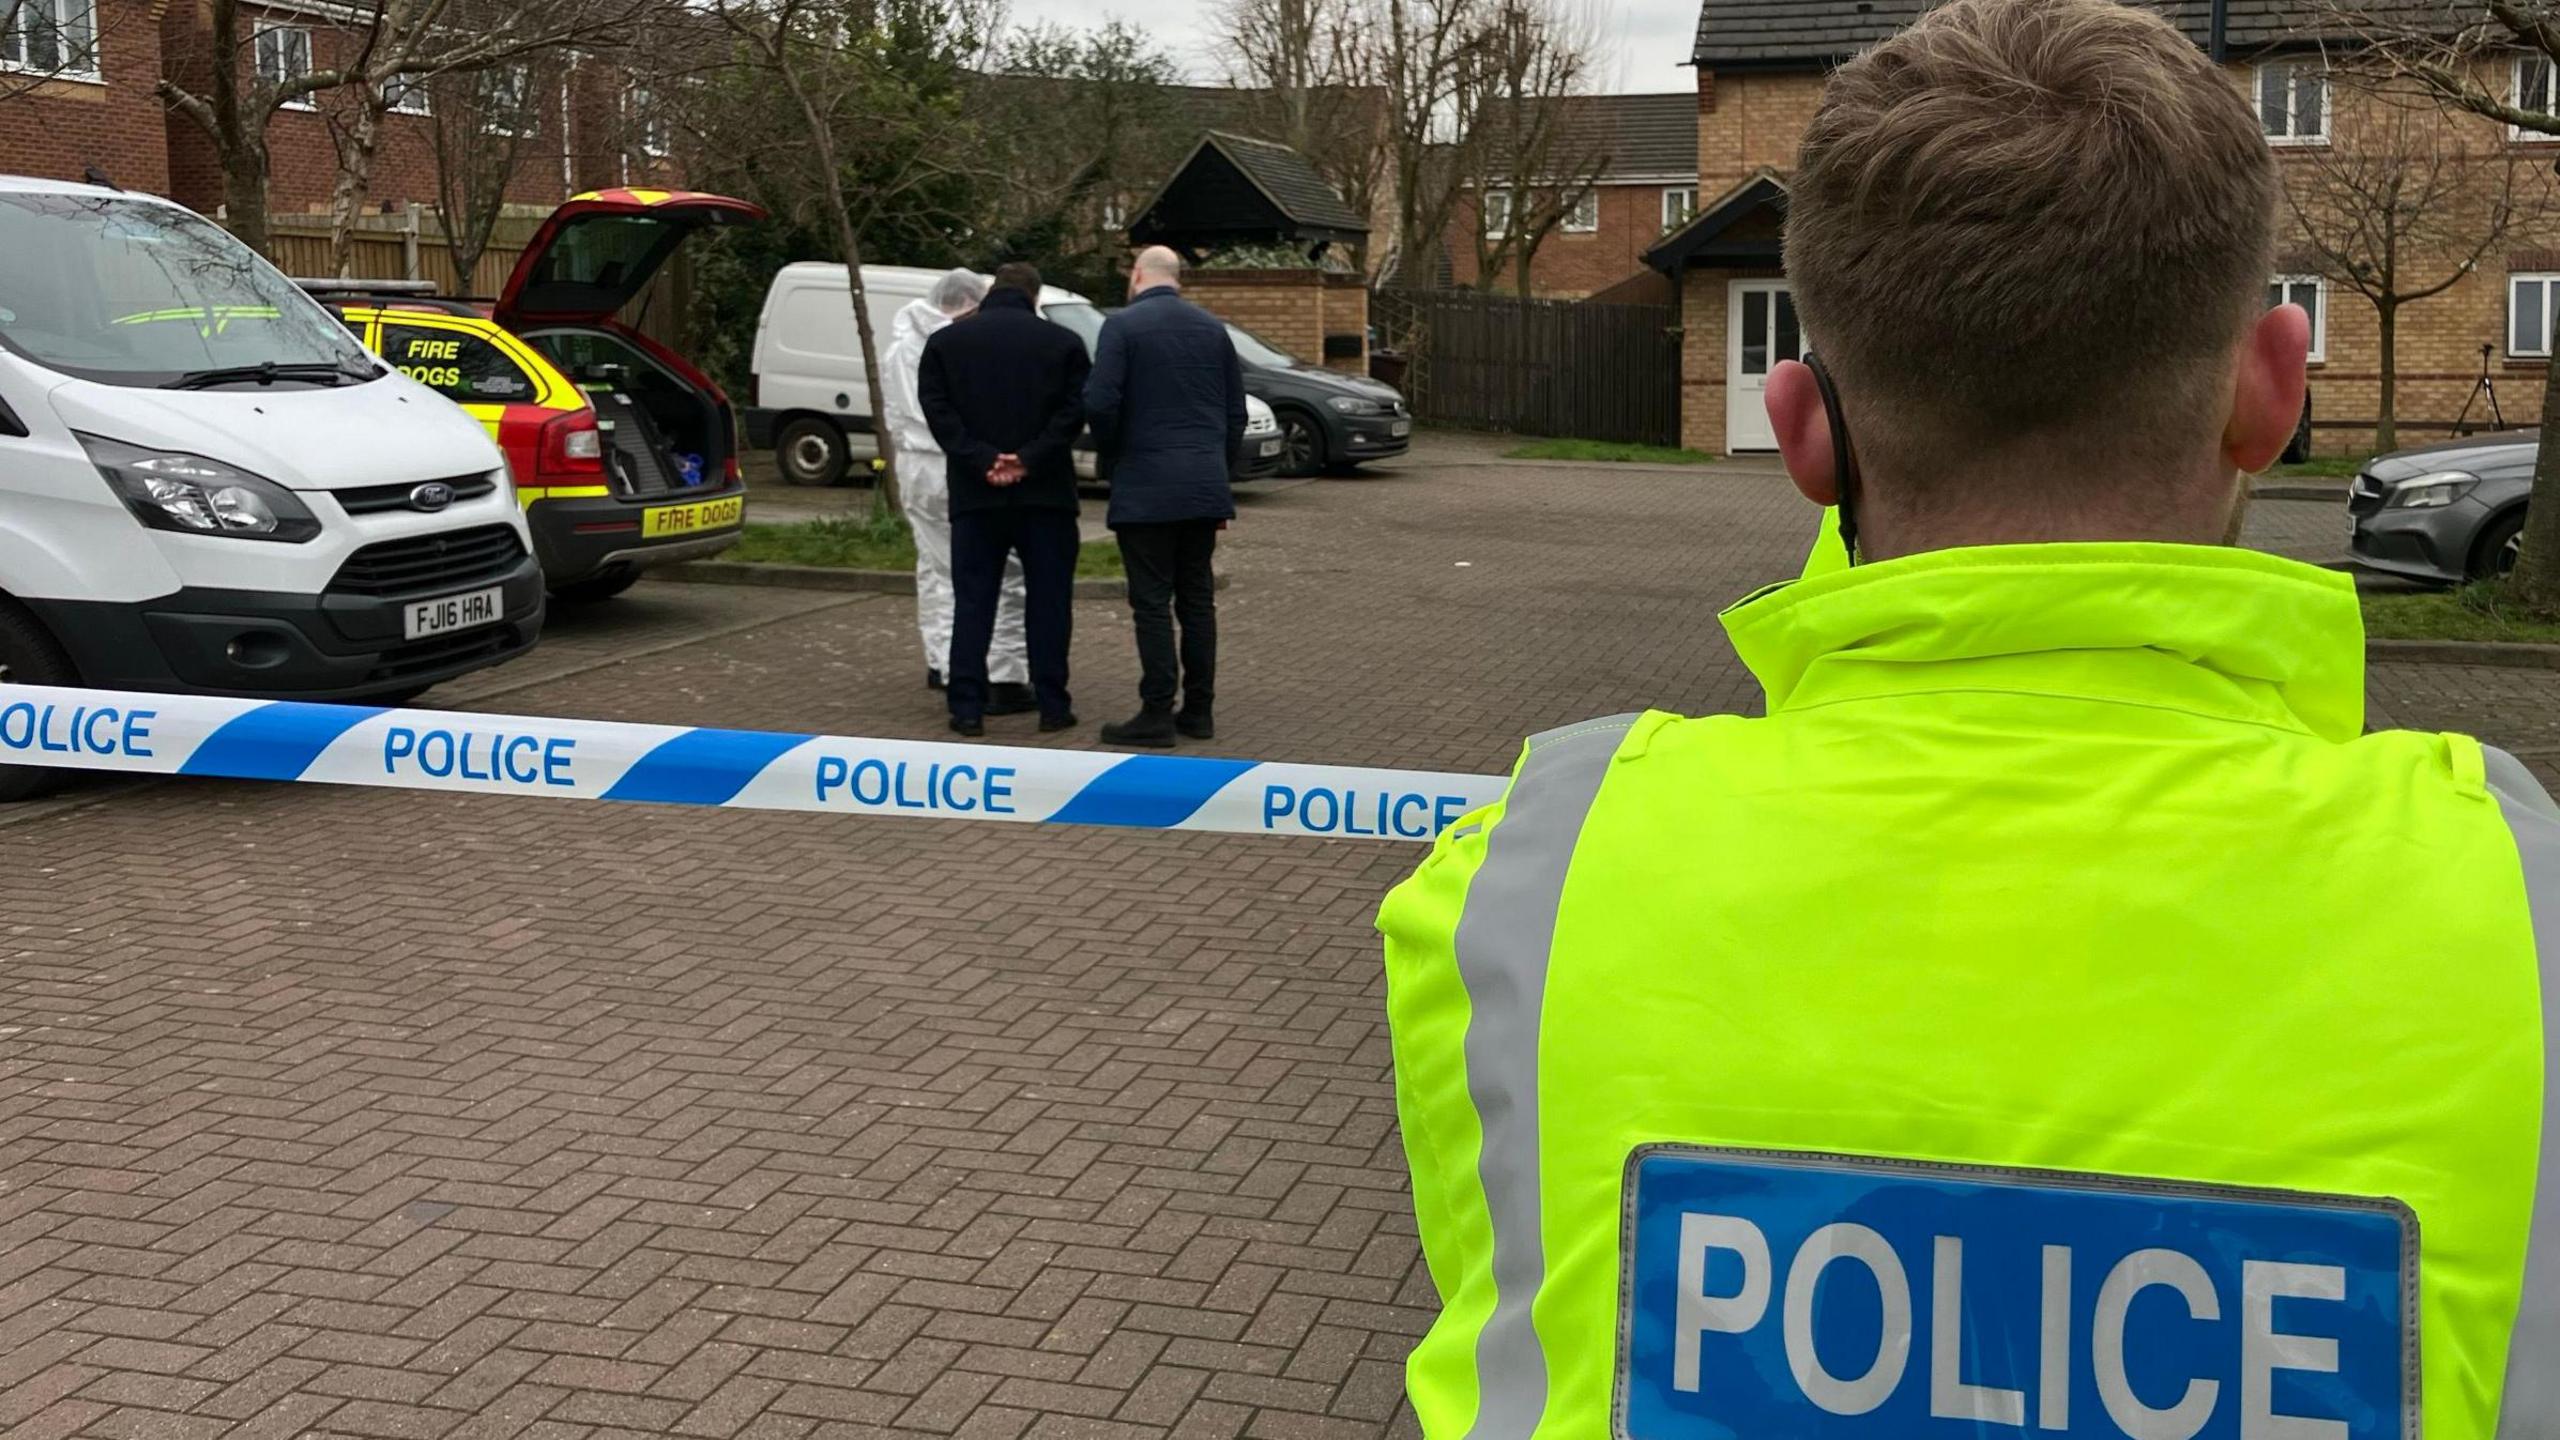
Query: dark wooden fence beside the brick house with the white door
(1537, 368)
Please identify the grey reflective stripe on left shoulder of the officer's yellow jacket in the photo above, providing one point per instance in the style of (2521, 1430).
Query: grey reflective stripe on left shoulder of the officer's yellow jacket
(1501, 957)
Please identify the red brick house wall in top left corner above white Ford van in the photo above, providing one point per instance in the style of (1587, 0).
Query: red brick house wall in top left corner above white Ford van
(58, 129)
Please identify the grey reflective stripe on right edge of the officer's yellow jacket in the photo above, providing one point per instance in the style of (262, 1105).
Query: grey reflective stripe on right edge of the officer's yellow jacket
(2533, 1352)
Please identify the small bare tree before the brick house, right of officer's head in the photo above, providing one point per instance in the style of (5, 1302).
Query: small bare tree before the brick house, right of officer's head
(2400, 206)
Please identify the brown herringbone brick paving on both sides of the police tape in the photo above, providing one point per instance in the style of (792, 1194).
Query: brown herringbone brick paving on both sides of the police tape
(406, 1116)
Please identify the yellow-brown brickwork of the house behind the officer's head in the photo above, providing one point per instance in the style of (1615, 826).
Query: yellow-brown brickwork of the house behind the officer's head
(1750, 122)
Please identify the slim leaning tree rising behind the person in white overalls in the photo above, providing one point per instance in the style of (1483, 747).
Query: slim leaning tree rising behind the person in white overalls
(867, 83)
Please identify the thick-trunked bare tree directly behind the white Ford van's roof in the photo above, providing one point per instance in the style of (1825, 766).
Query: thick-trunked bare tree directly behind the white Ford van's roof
(385, 47)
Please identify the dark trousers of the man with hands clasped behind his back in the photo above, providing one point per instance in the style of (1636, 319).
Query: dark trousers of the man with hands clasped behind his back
(1046, 542)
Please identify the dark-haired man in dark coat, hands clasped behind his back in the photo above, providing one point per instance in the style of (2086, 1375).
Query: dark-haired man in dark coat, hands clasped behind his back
(1005, 398)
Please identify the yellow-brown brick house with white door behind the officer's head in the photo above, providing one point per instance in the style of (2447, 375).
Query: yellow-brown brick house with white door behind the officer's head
(1760, 78)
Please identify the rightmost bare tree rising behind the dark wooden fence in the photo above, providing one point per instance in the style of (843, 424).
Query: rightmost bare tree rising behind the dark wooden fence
(1542, 145)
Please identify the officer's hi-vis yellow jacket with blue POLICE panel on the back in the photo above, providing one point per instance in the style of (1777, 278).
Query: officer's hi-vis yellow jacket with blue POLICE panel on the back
(2054, 1019)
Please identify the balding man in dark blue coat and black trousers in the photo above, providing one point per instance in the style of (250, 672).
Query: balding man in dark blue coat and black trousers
(1169, 416)
